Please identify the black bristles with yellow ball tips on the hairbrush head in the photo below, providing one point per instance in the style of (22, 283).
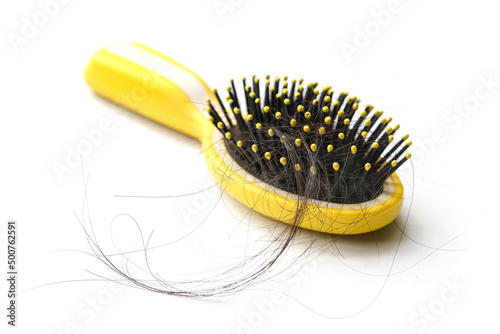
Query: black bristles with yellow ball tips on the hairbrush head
(305, 141)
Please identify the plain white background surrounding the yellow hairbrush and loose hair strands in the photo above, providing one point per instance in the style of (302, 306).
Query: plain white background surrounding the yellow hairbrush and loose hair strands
(427, 57)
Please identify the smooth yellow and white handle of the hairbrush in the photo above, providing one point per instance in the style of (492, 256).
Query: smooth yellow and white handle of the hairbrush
(145, 81)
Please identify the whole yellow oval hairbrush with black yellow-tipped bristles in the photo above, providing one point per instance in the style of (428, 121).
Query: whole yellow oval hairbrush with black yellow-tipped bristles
(288, 150)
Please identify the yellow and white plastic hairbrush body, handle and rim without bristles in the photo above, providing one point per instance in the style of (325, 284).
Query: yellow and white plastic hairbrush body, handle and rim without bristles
(161, 89)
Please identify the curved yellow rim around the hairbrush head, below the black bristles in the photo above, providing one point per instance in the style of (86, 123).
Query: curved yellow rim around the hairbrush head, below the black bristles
(281, 205)
